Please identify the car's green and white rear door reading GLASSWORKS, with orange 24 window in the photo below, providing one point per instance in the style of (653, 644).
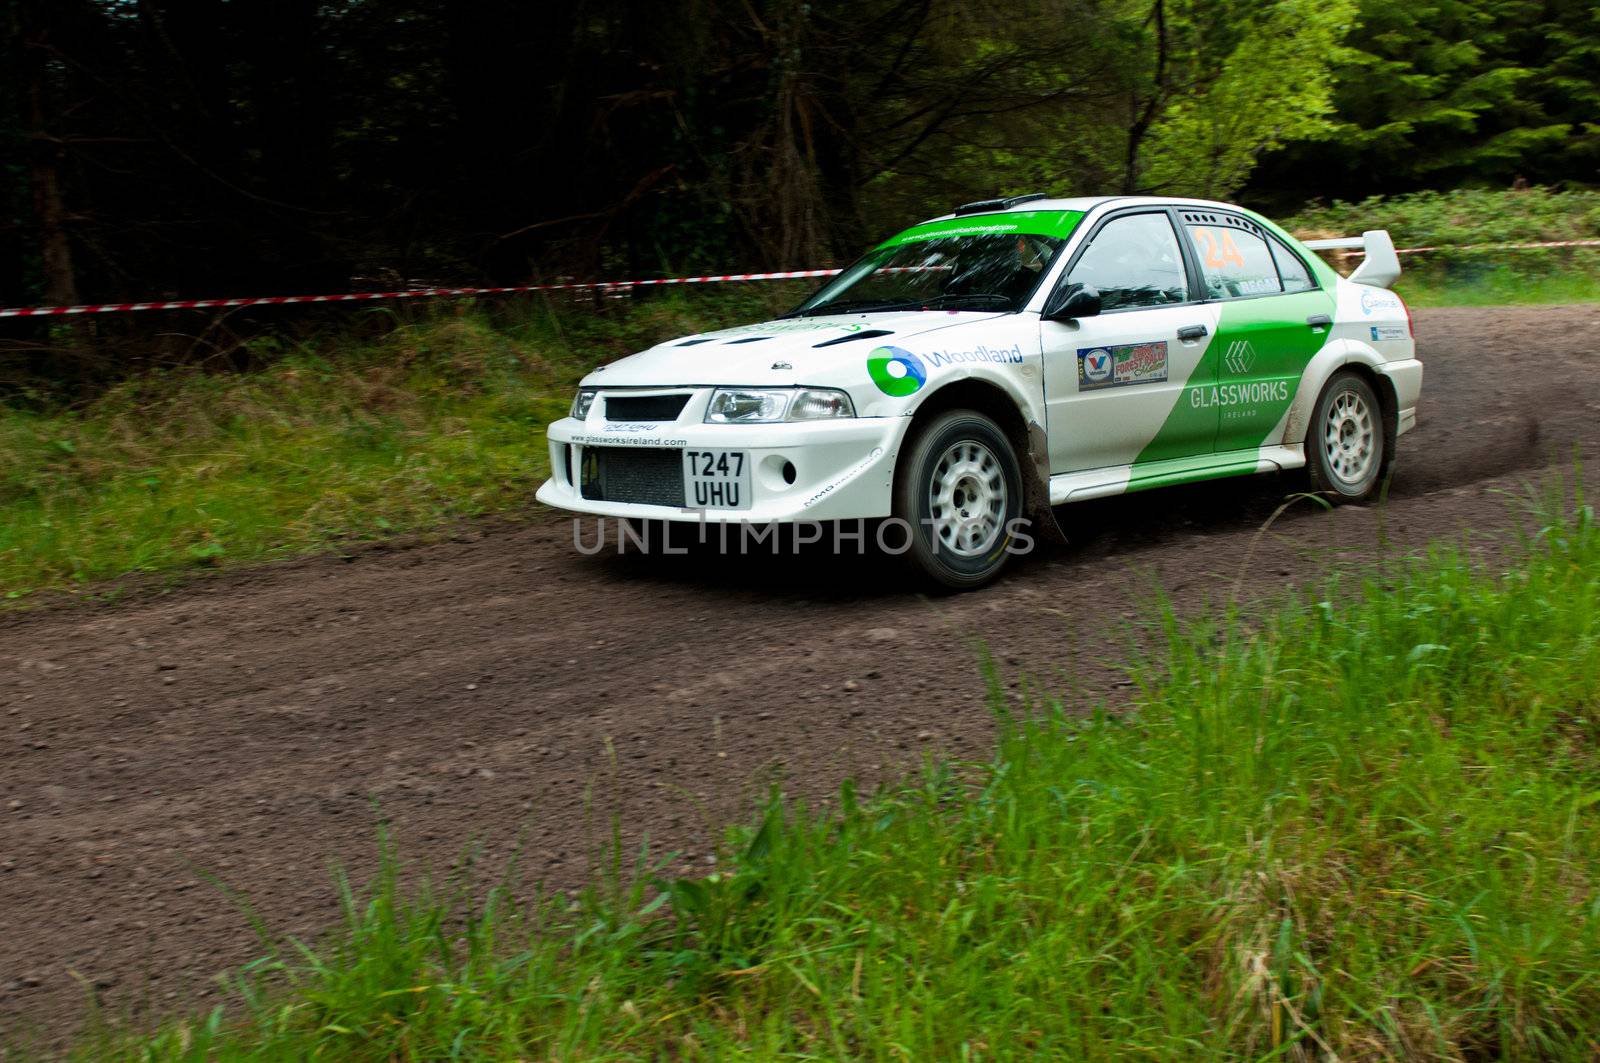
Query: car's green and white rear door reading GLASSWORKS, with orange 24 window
(1273, 318)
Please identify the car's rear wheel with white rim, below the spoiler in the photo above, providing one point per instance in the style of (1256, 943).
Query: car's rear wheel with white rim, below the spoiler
(1348, 446)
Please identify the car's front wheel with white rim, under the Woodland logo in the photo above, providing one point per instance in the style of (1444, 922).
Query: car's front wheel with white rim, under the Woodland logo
(959, 492)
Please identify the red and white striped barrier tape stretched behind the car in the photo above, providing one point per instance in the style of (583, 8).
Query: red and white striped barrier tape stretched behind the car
(593, 286)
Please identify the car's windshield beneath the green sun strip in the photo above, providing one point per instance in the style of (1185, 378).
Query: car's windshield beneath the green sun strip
(946, 273)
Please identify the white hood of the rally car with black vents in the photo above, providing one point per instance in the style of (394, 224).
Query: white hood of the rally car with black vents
(780, 353)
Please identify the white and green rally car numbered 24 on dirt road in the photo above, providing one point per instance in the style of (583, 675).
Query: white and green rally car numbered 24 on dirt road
(975, 371)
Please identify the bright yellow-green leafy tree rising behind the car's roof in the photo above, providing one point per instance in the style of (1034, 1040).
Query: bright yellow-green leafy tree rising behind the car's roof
(1134, 97)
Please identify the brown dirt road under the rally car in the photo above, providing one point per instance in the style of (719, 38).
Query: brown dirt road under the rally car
(503, 684)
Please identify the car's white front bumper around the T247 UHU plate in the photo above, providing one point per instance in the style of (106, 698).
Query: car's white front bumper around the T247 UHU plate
(842, 470)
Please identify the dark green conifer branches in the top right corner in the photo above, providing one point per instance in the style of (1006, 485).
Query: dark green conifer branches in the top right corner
(1447, 92)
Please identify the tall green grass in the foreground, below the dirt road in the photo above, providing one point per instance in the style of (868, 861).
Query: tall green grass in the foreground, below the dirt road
(1362, 824)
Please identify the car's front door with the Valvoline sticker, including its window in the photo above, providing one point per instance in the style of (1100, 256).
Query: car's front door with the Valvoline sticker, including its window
(1116, 383)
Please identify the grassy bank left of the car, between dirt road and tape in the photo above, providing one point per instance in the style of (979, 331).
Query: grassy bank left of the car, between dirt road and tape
(332, 443)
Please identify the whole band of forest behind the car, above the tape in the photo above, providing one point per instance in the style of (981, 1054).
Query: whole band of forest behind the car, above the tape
(183, 148)
